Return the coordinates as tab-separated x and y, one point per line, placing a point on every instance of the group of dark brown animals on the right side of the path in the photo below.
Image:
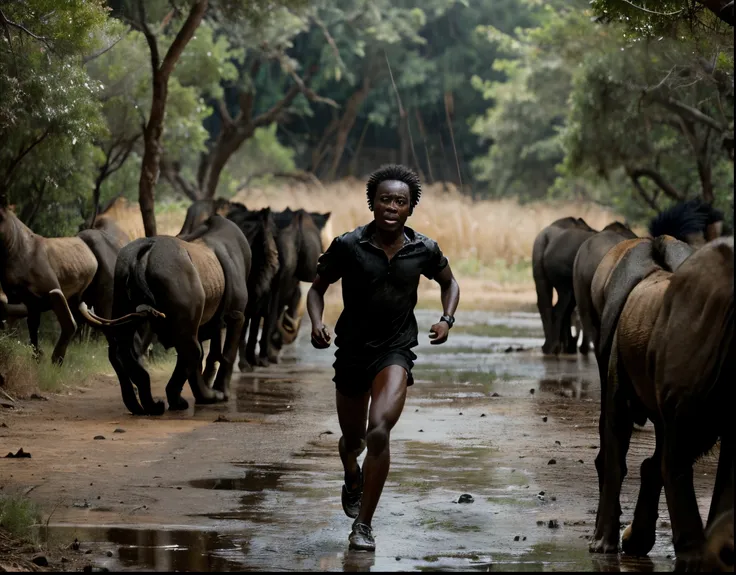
659	312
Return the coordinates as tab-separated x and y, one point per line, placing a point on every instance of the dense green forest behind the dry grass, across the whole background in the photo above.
628	104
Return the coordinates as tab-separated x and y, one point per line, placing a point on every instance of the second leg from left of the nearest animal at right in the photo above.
638	538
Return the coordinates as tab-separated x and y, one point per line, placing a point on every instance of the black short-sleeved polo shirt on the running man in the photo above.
378	296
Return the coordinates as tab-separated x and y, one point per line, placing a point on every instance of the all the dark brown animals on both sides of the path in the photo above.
658	311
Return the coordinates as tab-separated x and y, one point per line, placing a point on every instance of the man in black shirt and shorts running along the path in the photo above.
380	264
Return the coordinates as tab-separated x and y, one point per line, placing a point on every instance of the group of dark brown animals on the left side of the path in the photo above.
227	269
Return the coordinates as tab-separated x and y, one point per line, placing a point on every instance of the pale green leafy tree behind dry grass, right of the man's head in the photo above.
529	103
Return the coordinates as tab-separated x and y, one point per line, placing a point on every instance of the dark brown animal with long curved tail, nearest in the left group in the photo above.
197	285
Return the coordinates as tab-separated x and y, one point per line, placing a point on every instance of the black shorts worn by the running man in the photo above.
354	373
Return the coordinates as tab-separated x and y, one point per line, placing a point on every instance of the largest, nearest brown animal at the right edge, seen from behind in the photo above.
671	361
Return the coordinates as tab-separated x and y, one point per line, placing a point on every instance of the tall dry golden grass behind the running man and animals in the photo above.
489	241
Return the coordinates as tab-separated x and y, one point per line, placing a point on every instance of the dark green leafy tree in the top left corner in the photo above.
48	114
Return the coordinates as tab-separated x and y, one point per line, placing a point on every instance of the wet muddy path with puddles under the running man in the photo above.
255	484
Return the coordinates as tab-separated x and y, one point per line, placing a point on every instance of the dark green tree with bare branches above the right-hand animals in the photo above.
657	109
